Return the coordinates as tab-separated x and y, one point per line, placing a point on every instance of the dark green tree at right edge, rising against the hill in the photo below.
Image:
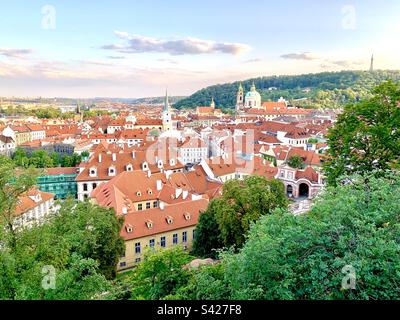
366	136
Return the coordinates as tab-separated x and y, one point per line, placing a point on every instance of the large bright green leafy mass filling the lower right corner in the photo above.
354	226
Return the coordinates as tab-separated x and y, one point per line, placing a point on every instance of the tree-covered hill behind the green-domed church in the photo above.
319	90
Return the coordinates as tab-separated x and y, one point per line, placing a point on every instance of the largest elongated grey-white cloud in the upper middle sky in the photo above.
191	46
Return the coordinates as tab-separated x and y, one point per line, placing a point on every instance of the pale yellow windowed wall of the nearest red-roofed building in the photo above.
131	259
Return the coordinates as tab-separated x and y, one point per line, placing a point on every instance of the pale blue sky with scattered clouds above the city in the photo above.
131	49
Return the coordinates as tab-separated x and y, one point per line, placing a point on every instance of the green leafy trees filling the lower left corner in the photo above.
81	243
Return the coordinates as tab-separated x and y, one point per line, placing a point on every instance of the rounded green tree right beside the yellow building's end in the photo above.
242	203
